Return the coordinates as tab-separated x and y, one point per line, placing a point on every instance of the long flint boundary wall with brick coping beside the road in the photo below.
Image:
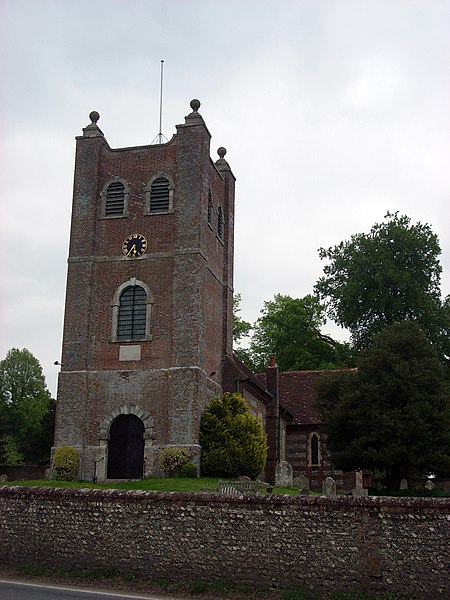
377	545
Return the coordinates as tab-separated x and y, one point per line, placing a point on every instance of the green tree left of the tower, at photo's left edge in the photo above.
28	407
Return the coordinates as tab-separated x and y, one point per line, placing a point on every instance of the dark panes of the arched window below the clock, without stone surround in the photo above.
132	313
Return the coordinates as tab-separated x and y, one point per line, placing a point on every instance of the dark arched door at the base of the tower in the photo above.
126	448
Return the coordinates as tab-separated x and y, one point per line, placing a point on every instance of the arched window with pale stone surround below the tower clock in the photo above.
132	308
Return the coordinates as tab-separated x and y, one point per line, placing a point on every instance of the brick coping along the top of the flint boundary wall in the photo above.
394	504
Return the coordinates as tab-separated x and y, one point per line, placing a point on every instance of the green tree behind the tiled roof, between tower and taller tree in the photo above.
290	329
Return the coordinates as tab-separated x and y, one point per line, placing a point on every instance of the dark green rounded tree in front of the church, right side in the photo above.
393	412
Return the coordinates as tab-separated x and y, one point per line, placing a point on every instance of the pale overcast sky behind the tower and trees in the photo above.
332	112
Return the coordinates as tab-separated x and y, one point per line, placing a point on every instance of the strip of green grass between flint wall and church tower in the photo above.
158	484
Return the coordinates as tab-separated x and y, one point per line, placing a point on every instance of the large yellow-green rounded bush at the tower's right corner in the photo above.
232	440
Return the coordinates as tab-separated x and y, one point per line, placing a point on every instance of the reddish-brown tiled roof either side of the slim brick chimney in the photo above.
297	391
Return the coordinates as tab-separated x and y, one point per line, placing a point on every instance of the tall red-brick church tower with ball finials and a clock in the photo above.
148	315
